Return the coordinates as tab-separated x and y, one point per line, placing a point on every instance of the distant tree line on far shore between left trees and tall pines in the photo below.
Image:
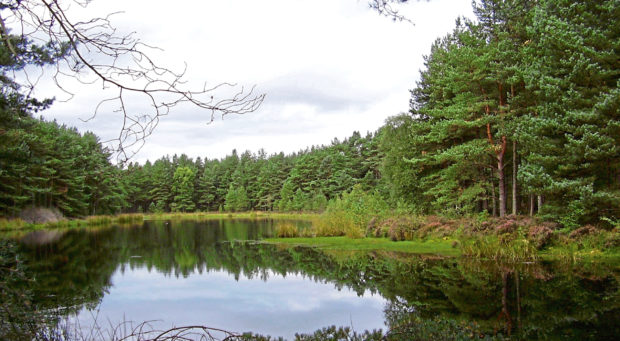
305	180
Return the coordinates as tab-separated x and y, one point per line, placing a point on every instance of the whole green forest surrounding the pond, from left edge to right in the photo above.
516	112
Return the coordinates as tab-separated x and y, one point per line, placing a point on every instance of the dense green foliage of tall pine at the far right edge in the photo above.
572	142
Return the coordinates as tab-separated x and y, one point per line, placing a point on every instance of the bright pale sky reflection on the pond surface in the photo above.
277	306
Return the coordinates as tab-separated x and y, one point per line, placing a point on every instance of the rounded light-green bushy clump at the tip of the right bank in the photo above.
350	214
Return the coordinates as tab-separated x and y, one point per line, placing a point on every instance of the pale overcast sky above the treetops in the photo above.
328	67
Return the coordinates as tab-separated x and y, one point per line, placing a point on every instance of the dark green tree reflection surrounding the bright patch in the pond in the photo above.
429	297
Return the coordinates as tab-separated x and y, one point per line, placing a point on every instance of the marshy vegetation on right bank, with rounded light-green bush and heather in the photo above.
359	215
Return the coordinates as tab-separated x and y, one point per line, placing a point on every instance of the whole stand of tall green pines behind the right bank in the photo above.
535	79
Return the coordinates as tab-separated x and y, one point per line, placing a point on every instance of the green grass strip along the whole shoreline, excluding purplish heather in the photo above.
420	236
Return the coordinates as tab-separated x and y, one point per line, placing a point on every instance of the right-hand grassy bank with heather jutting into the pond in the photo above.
512	239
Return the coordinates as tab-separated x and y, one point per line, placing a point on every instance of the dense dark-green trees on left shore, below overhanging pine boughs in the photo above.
47	165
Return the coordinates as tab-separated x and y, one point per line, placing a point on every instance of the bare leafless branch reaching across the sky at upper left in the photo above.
98	53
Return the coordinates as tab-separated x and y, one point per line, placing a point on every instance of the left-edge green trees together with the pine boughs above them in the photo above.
44	164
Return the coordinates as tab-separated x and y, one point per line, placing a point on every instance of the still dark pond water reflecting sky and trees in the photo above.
211	273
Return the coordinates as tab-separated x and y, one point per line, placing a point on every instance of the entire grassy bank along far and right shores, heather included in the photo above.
507	239
